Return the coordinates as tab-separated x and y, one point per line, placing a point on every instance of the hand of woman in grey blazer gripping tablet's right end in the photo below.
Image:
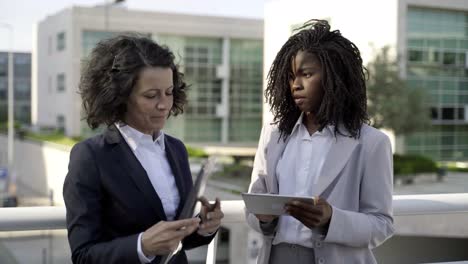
308	214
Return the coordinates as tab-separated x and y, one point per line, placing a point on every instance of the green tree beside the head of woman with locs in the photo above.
391	103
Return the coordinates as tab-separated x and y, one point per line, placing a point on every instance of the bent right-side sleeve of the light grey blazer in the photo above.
373	224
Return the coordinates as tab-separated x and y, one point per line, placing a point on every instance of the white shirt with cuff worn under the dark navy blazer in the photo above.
152	157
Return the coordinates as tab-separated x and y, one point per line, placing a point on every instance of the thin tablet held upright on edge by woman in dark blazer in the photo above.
197	191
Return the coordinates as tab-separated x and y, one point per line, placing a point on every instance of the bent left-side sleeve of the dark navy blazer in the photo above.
84	203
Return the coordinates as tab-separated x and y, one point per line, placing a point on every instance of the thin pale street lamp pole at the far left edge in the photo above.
11	129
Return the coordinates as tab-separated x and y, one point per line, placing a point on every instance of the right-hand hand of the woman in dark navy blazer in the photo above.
211	216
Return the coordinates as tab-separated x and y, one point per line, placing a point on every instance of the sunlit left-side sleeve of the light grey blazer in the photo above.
258	184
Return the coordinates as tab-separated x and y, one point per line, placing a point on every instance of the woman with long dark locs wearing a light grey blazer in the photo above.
319	145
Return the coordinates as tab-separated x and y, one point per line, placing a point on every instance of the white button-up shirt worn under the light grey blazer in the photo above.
298	171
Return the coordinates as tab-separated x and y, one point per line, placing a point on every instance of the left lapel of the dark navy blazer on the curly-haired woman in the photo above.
125	157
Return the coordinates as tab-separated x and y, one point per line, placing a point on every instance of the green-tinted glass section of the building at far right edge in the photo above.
437	45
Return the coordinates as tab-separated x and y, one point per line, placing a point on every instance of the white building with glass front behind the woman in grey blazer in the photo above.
428	37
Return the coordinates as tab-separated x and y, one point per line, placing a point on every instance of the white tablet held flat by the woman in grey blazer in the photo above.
270	204
